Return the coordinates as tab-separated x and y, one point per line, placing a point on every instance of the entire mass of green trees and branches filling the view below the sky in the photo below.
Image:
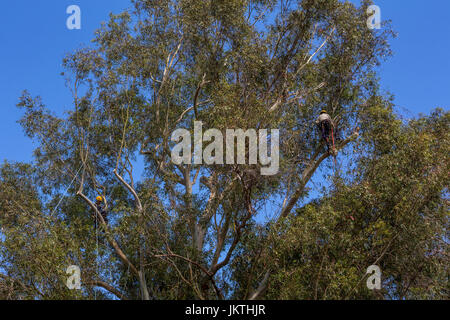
197	231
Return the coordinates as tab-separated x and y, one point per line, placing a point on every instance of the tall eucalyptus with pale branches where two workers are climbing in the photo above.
161	66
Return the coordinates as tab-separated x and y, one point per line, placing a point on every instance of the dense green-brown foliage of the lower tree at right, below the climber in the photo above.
400	213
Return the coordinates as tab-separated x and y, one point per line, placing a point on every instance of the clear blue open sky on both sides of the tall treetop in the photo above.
34	39
